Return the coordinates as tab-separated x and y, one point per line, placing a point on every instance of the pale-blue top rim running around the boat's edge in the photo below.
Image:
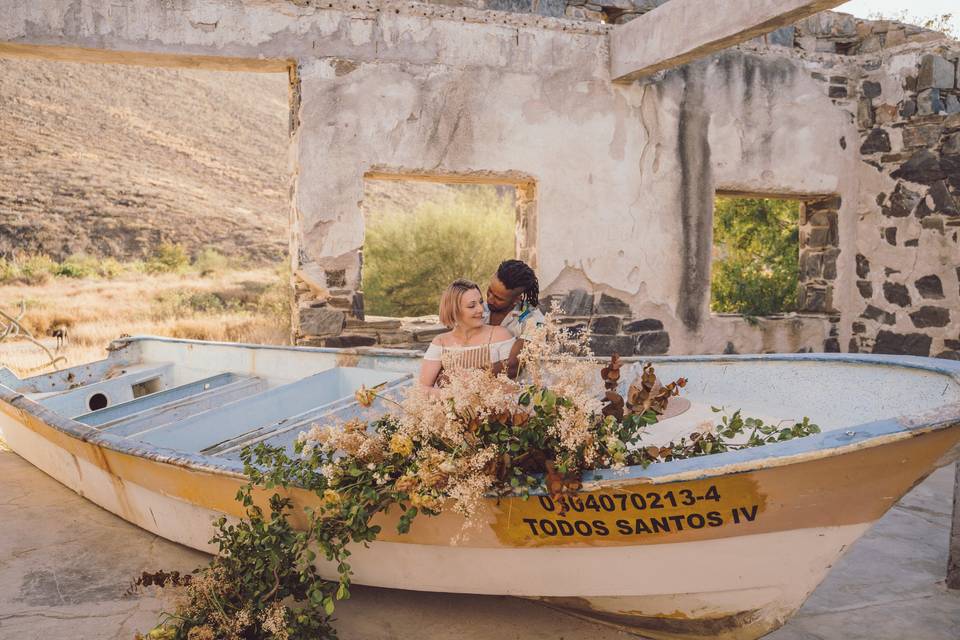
828	444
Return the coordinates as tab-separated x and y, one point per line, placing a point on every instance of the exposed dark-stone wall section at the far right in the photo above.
908	262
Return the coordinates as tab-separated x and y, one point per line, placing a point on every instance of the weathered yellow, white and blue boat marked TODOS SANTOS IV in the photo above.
722	546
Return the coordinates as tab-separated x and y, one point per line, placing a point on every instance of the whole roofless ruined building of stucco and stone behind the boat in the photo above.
617	123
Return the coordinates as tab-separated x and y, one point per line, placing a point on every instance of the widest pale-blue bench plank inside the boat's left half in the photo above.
206	429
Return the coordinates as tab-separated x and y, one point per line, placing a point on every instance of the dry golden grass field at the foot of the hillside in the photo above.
243	305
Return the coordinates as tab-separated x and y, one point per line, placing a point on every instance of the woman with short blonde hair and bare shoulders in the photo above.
470	343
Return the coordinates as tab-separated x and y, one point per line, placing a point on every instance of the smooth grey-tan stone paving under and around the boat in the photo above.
65	566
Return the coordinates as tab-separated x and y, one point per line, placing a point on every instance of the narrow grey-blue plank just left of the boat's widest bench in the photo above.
185	408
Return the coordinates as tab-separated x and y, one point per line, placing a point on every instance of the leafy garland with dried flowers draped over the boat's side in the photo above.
263	584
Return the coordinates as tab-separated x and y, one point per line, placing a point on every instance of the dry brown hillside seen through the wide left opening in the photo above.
112	160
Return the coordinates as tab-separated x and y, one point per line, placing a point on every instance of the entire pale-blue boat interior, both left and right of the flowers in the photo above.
208	401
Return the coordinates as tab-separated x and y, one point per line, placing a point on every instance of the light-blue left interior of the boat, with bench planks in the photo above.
220	414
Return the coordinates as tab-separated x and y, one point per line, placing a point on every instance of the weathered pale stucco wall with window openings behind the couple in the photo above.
625	175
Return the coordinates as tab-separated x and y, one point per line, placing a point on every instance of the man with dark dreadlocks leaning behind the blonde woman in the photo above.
513	298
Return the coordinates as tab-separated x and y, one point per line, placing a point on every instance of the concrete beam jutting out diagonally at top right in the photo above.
683	30
